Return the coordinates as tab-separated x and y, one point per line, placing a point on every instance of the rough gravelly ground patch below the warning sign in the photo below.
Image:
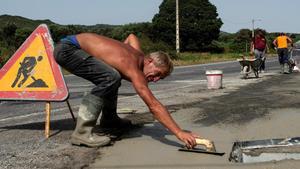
24	146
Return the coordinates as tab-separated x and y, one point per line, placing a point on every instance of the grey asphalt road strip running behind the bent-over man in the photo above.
77	86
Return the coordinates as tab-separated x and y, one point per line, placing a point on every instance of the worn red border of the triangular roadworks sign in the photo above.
59	94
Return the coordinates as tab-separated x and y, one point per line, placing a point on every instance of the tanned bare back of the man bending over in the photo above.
124	58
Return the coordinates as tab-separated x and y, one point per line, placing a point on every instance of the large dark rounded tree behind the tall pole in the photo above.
199	24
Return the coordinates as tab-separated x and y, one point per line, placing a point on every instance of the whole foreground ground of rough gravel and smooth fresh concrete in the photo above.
245	109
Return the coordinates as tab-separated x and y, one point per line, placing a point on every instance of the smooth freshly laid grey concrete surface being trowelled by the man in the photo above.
251	109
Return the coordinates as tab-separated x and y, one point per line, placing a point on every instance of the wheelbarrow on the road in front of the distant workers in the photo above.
250	65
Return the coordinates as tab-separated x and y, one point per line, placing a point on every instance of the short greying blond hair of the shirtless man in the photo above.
162	59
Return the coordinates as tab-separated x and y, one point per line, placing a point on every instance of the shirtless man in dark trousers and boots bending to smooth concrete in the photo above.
104	62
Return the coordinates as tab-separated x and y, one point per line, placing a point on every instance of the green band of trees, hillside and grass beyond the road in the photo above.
201	40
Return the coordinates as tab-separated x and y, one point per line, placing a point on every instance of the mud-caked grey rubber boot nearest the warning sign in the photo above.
87	117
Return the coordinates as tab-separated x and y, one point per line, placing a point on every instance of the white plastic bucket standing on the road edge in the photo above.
214	79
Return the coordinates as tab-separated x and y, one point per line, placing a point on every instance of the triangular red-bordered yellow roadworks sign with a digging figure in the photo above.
32	73
